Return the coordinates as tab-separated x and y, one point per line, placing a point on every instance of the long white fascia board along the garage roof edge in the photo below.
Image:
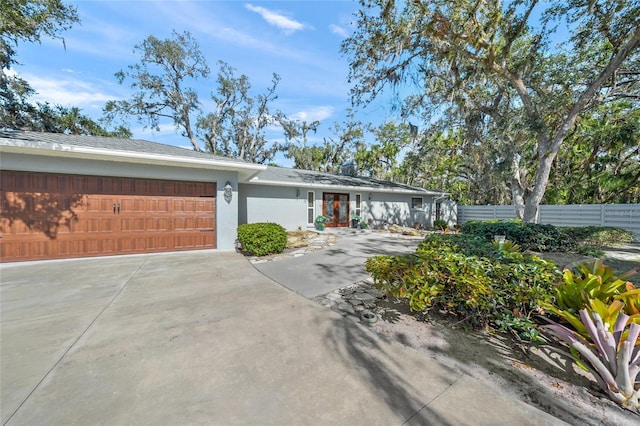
248	170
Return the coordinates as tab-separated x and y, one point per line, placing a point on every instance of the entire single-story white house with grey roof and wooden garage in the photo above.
67	196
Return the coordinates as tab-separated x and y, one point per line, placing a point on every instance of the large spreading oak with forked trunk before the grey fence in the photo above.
493	72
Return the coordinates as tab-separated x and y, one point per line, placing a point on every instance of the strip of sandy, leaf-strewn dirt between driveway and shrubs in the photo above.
542	377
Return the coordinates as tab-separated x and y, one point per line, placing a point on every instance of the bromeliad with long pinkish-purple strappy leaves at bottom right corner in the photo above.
612	356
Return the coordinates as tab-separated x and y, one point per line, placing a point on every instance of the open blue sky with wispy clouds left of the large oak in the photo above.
299	40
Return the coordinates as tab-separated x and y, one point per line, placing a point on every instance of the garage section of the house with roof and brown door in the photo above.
69	196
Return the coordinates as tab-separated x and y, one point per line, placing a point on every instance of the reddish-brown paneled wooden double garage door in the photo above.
47	216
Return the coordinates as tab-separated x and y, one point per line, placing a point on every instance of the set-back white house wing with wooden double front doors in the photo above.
294	198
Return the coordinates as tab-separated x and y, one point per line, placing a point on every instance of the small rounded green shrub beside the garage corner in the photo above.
261	239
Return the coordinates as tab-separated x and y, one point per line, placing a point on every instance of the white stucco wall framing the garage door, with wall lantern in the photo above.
226	213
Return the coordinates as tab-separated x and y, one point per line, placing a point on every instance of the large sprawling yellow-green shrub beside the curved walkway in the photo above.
467	276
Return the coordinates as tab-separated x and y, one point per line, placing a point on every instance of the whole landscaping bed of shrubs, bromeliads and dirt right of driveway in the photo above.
483	306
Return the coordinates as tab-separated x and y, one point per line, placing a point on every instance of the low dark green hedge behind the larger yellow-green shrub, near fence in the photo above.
529	236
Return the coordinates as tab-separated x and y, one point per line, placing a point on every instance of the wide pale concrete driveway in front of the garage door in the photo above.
203	338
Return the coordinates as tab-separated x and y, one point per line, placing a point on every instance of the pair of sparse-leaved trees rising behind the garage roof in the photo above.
163	85
